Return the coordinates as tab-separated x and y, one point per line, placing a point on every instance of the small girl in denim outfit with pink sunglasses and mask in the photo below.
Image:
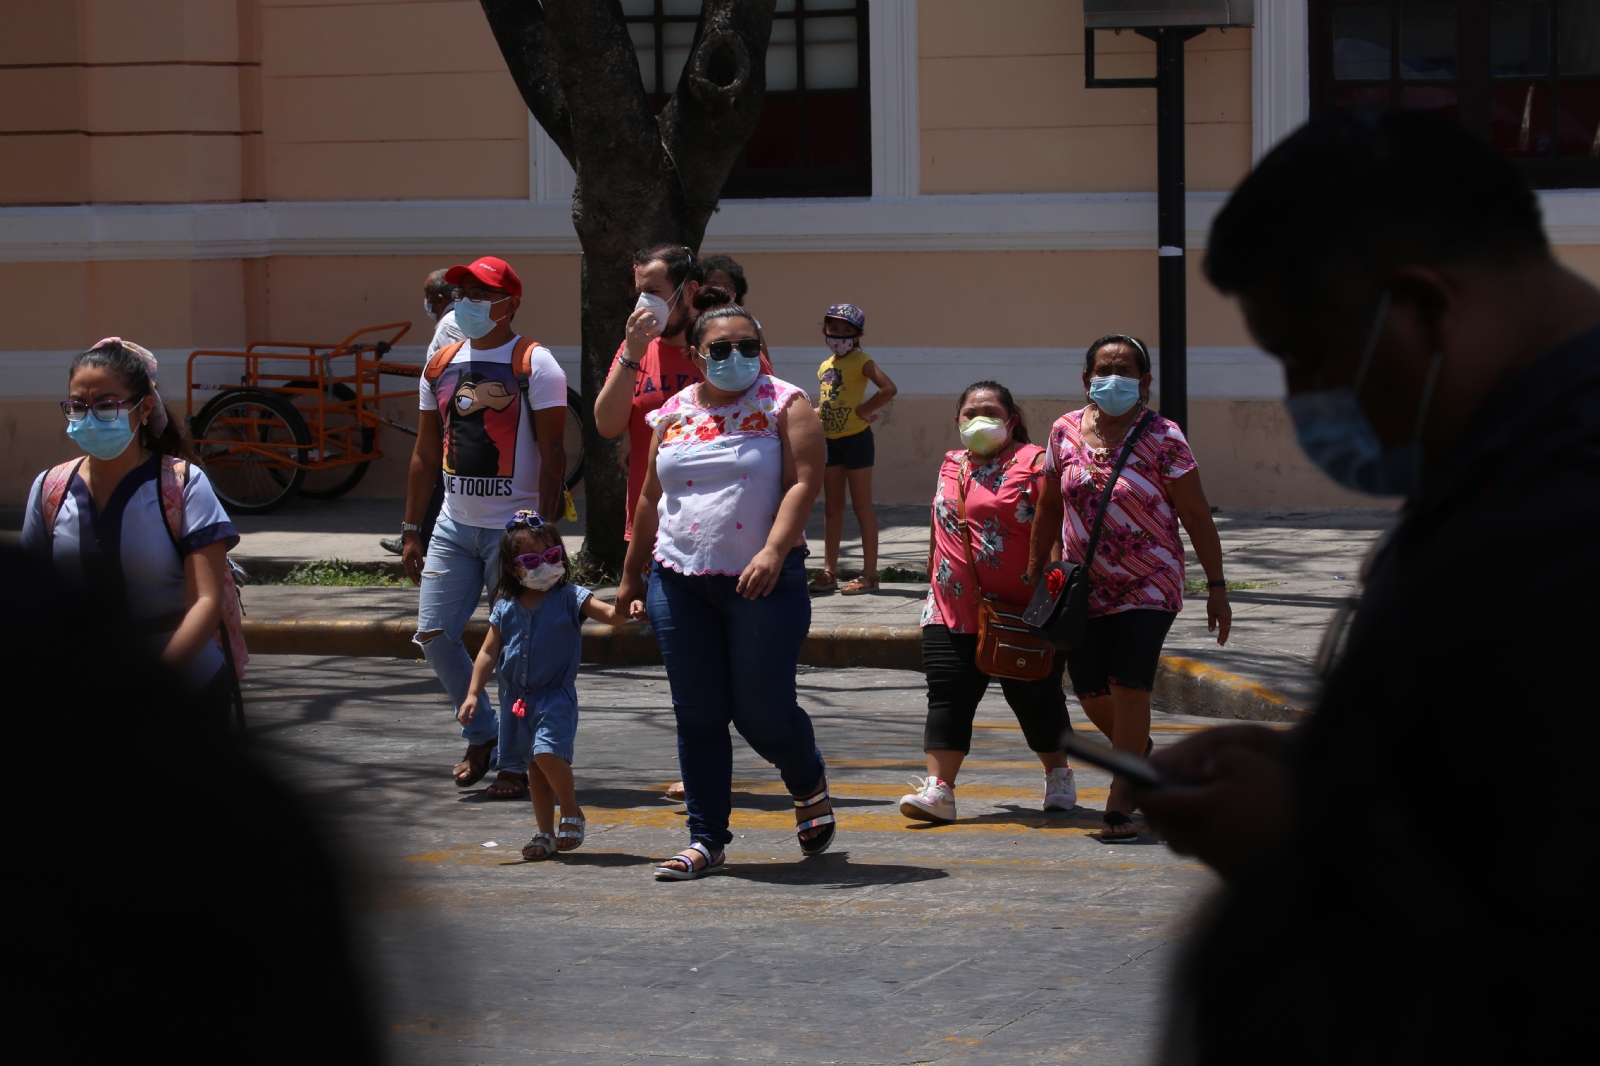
535	643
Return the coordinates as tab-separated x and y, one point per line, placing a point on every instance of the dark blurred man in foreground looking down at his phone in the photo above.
1377	905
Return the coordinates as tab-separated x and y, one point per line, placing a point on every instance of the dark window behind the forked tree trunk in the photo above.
815	135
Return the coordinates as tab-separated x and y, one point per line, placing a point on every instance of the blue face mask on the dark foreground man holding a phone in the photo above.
1335	435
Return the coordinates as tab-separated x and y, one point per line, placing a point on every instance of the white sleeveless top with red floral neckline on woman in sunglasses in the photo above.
721	473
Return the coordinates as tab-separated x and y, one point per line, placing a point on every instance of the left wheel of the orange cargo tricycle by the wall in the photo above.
246	479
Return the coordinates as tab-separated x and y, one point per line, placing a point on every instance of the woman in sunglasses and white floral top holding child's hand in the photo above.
734	470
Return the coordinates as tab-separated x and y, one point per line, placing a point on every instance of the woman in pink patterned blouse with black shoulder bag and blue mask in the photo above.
1137	580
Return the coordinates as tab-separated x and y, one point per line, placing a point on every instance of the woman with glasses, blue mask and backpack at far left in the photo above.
103	519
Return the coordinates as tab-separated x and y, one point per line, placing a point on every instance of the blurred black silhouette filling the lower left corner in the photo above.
172	900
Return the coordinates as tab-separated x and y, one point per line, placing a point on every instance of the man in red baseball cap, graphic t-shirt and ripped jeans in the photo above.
494	415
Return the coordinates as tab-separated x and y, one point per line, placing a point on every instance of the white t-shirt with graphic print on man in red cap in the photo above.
492	460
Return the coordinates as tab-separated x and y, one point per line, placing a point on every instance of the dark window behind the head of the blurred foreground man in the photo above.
1522	74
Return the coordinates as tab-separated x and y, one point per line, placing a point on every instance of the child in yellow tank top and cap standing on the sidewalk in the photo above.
847	422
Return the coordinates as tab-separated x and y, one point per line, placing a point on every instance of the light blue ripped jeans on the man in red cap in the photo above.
462	563
